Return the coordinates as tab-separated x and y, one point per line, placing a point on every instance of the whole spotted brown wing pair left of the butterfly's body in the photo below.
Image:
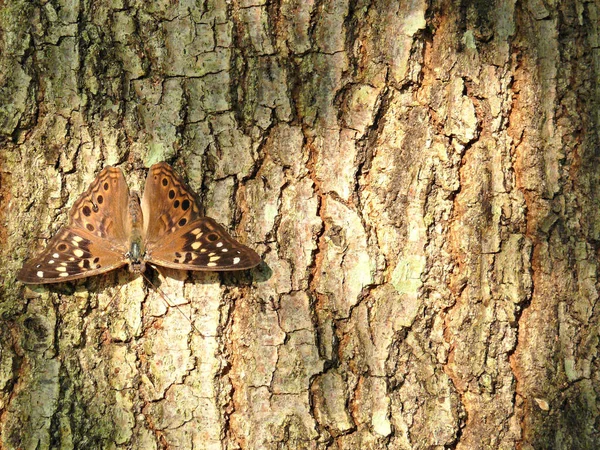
95	239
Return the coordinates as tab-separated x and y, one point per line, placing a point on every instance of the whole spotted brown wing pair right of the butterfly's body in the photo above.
177	236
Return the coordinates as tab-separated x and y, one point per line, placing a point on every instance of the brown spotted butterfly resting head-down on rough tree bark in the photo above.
109	227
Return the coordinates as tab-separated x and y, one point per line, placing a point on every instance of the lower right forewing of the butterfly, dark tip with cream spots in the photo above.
202	245
